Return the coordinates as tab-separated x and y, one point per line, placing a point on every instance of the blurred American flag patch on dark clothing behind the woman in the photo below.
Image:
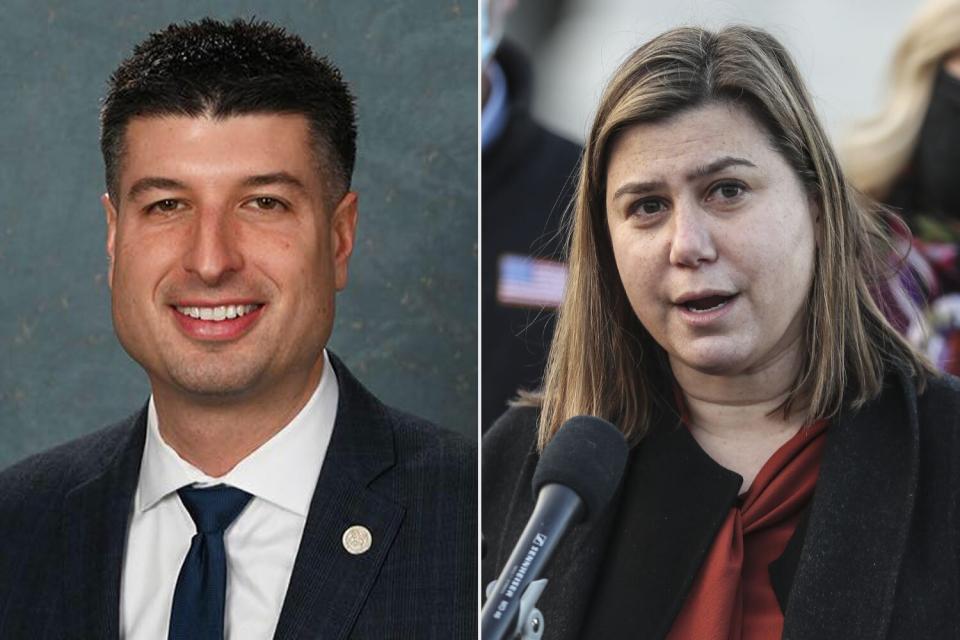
530	282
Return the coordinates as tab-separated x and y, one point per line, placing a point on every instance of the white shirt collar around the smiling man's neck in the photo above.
274	472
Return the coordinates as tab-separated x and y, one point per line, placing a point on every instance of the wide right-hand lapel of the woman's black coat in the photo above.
847	575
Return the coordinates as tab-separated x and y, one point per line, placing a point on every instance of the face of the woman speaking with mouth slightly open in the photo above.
714	238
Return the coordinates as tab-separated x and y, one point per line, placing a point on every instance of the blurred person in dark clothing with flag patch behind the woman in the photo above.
526	185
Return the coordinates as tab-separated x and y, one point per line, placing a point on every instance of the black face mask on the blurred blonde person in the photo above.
937	158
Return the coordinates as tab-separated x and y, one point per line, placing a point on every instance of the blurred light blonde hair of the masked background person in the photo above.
879	148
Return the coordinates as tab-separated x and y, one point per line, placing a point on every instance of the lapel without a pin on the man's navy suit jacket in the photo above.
96	513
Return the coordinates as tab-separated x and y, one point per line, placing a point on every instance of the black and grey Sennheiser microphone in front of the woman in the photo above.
577	475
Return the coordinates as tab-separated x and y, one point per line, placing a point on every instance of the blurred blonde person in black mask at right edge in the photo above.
907	157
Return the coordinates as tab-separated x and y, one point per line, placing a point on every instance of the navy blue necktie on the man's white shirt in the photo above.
198	601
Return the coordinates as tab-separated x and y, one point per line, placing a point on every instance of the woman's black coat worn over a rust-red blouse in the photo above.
877	554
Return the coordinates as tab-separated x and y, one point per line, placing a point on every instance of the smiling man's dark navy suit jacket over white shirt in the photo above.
64	513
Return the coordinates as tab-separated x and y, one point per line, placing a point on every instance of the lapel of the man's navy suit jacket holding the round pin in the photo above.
328	585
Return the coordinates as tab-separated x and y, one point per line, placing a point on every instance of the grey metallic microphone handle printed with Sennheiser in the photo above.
558	508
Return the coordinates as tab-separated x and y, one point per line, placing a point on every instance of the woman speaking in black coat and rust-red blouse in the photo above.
794	463
